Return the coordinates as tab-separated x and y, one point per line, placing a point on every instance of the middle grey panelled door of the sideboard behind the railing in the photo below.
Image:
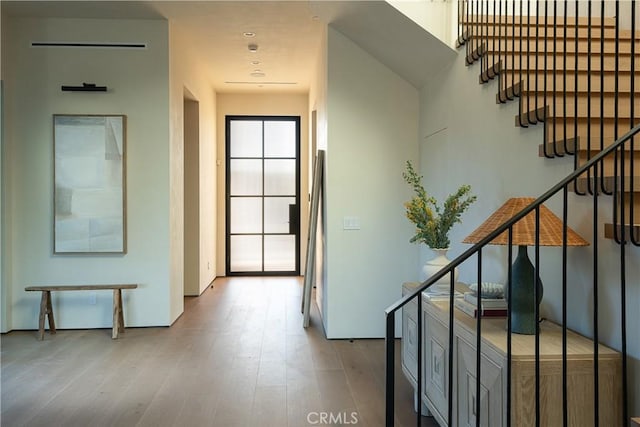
436	367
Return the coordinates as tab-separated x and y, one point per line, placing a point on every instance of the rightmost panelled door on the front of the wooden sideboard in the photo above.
491	388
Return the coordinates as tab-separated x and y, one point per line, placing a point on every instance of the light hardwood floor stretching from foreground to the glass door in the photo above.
238	356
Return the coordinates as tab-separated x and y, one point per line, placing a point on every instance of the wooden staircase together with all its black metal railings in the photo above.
541	63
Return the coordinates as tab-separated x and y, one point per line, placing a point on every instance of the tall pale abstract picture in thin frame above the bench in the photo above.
89	184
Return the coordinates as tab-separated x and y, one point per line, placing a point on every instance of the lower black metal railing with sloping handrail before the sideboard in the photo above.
563	187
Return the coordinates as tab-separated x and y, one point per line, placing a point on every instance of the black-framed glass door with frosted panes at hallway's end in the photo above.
263	195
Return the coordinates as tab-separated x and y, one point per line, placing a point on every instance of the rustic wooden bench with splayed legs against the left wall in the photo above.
46	309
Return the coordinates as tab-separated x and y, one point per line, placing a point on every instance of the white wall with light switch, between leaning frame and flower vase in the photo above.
372	117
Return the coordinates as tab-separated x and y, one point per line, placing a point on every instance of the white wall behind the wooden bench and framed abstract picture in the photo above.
138	88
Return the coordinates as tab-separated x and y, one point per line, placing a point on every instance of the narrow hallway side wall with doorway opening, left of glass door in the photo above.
187	75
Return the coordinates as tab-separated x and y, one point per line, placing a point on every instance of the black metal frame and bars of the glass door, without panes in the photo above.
227	130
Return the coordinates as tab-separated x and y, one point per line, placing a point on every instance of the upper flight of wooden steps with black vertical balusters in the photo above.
574	73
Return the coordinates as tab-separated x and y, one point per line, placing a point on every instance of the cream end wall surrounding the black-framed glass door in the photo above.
268	104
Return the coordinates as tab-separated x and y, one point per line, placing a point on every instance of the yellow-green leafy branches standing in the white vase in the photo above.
432	222
